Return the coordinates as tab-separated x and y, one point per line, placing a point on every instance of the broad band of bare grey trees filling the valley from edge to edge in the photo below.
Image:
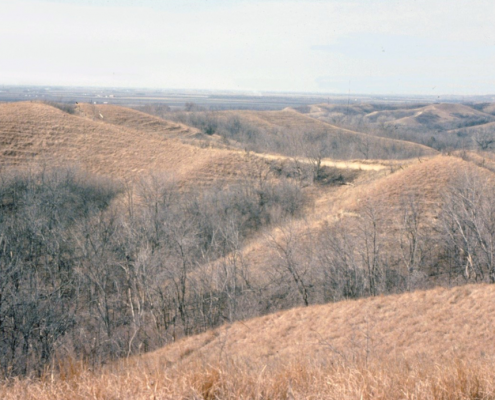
94	270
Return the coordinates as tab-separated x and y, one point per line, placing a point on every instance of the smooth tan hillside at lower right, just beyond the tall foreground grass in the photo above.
435	322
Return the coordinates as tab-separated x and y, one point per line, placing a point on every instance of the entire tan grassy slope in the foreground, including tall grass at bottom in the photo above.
426	345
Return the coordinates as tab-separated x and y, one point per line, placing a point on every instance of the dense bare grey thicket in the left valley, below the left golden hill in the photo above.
80	276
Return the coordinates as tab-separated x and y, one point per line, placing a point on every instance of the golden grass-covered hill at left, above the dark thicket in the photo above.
41	134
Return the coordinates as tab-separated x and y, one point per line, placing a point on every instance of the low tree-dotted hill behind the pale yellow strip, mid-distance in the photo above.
292	133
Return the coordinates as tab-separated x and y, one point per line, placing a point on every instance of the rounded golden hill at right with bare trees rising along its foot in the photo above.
386	196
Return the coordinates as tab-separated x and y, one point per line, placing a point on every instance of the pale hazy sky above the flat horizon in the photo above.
375	46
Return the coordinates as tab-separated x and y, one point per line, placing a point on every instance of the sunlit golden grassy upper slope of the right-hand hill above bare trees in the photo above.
424	184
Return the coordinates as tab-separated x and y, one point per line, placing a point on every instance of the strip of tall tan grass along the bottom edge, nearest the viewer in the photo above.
415	378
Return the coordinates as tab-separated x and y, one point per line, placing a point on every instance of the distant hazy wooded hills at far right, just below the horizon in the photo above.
442	126
